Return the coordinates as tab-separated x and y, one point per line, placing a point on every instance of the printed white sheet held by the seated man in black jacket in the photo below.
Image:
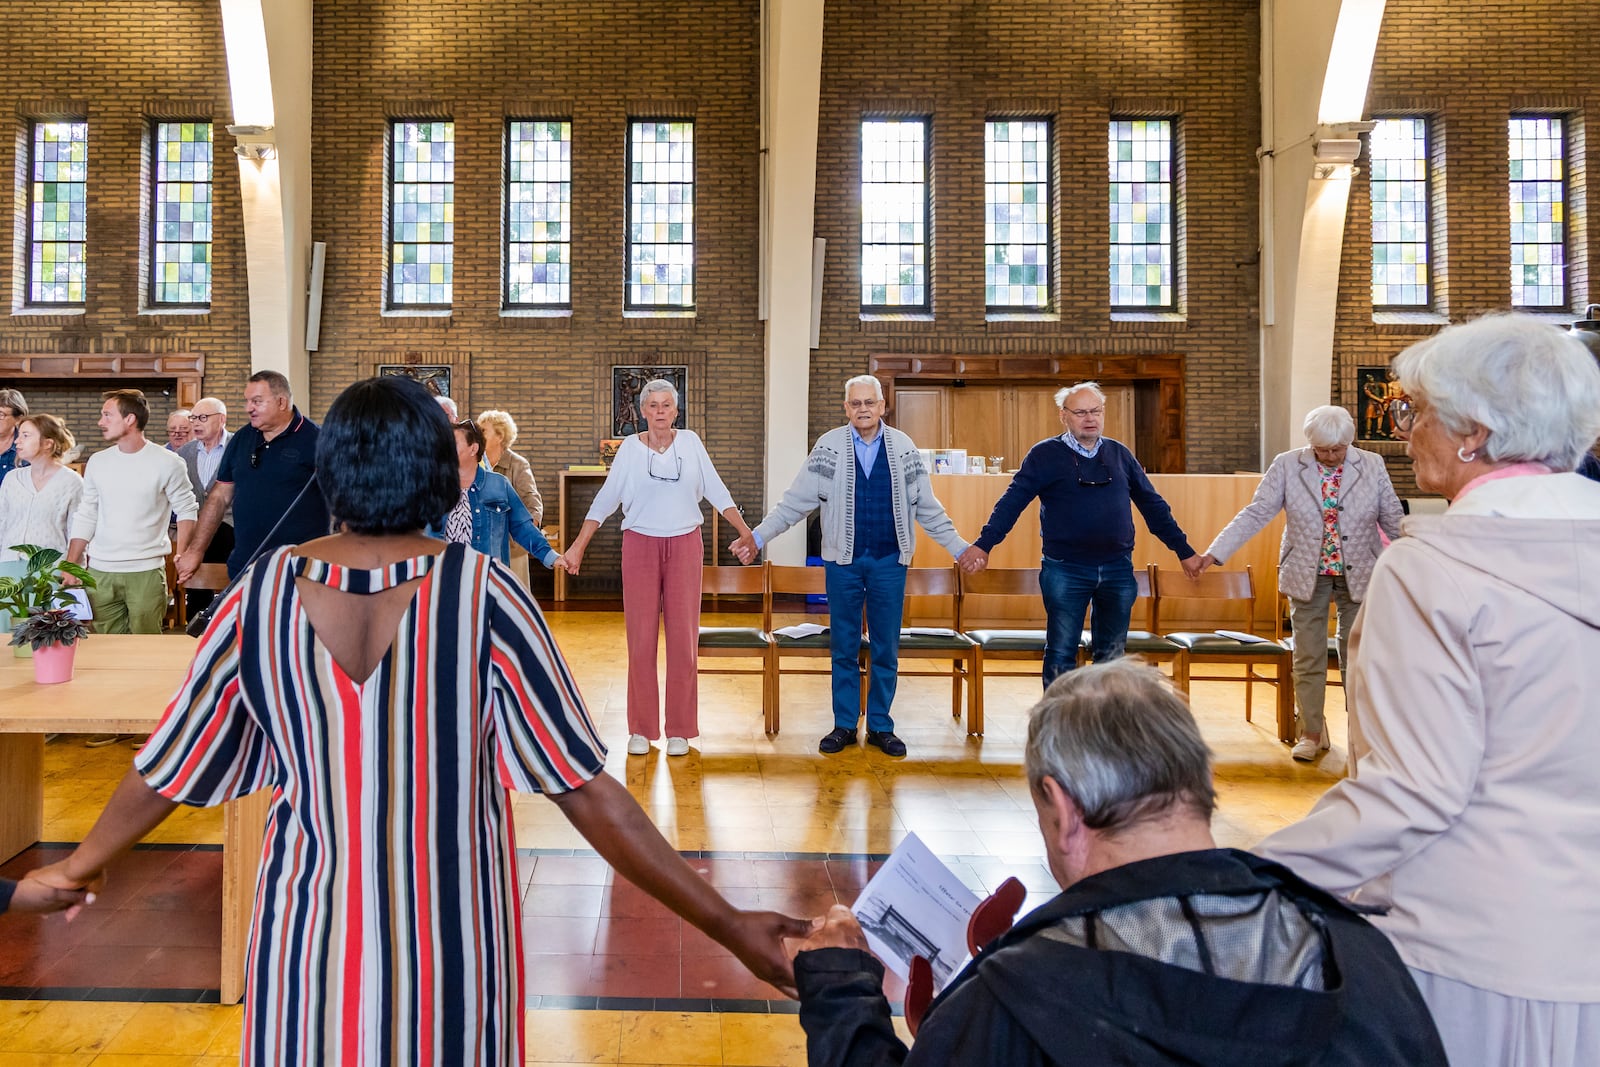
918	908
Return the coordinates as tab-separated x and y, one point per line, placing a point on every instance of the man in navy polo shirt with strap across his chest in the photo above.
265	468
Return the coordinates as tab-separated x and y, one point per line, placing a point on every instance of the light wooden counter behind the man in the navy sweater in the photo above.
1202	505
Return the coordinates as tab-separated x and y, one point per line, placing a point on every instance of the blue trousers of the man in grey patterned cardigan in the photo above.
879	586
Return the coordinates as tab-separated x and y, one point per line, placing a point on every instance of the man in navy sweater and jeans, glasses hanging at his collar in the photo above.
1087	487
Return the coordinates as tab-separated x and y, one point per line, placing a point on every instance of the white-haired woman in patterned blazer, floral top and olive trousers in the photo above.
1337	500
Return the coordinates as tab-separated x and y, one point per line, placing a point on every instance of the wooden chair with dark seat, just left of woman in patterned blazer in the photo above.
1238	591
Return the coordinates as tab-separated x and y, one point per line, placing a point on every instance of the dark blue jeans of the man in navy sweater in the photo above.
1068	591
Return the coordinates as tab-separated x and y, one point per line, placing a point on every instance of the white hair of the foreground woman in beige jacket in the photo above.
1532	386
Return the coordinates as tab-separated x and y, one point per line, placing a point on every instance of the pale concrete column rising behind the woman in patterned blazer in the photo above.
1318	58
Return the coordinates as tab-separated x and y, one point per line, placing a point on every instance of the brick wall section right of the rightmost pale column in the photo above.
1468	68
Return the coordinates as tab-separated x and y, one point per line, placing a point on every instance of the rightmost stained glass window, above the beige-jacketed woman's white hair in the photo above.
1538	212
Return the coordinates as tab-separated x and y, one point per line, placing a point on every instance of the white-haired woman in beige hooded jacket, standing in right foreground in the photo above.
1473	812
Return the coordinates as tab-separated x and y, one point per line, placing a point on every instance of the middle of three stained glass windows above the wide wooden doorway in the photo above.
1017	225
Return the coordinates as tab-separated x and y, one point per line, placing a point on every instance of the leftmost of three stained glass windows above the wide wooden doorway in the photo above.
895	215
